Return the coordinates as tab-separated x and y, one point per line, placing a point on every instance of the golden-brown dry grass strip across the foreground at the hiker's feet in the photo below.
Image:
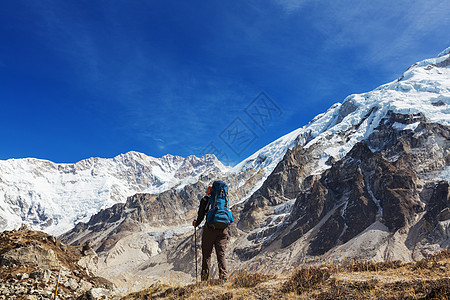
425	279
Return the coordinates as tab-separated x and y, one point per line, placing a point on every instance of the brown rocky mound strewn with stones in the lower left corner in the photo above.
30	264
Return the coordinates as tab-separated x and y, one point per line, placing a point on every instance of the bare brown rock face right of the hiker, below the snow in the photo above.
388	180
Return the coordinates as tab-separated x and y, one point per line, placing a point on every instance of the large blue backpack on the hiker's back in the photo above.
219	214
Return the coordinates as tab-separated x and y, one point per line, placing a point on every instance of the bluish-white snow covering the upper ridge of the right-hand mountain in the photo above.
424	87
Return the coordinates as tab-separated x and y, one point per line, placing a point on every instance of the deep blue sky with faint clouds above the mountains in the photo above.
100	78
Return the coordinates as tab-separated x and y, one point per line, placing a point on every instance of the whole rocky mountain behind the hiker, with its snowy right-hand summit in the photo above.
367	179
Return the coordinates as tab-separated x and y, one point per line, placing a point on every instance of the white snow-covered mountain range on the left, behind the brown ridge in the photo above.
54	197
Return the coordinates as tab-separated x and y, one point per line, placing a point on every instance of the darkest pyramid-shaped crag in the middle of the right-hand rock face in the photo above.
352	189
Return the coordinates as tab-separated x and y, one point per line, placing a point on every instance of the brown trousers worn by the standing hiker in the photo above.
219	239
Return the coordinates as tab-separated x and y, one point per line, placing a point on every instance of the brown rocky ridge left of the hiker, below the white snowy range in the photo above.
167	209
